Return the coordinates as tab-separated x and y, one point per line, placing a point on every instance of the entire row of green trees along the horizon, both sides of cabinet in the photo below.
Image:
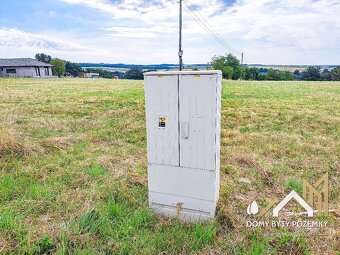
229	65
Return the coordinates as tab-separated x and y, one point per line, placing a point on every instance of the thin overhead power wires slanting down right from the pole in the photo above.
205	25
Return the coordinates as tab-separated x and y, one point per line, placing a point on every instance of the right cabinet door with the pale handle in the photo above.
197	116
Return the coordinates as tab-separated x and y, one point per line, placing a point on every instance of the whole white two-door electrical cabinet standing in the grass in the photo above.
183	115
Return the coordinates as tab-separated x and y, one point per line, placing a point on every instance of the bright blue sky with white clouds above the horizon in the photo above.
146	32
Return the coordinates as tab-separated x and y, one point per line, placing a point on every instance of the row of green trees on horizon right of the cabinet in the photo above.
232	69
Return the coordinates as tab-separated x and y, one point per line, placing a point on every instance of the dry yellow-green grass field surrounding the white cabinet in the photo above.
73	168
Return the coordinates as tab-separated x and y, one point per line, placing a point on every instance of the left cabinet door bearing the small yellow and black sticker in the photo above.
161	95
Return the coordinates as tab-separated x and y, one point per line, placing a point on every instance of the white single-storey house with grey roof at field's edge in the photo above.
24	67
